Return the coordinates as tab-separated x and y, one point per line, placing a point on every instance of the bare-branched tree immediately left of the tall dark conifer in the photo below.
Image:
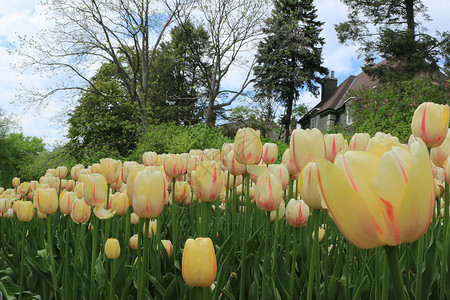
233	27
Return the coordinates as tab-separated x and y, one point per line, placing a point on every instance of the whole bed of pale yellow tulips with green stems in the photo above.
367	219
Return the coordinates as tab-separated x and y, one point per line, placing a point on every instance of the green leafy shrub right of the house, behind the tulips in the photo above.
389	107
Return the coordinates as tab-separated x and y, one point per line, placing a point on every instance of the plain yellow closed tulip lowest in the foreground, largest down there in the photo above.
199	265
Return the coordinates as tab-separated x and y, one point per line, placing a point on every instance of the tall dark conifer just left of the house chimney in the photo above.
290	56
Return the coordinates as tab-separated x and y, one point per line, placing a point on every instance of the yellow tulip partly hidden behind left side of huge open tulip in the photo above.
308	186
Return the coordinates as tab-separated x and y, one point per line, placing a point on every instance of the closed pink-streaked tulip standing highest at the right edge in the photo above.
430	123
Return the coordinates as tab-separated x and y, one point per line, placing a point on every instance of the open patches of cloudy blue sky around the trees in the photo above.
24	17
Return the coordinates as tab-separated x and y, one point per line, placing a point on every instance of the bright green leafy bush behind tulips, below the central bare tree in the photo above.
171	138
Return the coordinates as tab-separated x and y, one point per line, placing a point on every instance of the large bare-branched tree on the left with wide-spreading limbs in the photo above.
86	33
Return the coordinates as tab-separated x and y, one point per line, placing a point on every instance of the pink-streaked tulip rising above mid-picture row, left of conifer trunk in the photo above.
247	146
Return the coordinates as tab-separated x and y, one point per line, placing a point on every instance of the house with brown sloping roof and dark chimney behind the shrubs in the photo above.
333	106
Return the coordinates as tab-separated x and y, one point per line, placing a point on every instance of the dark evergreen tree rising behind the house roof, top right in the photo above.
392	31
